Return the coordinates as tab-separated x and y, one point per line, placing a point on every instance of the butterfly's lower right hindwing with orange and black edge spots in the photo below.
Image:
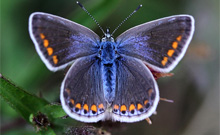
136	92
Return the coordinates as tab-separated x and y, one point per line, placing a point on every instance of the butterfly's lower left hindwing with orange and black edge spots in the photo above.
82	94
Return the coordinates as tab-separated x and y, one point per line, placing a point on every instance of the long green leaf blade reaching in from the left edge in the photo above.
21	101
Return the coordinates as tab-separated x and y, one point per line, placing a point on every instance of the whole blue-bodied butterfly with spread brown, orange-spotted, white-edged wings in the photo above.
109	79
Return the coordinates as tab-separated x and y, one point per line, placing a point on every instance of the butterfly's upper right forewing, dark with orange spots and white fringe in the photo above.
161	44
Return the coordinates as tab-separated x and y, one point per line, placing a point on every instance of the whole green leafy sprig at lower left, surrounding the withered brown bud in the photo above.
30	106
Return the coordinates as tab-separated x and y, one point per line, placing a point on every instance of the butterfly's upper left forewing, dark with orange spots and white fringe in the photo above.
59	41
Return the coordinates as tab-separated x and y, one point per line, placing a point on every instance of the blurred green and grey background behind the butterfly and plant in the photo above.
194	87
